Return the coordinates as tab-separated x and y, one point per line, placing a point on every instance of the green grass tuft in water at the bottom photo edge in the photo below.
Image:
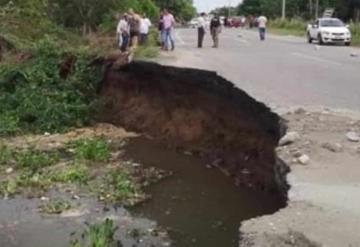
98	235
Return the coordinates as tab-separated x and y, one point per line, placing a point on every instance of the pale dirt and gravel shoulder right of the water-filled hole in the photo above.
324	197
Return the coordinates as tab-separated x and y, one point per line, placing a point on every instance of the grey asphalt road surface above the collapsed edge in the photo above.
283	71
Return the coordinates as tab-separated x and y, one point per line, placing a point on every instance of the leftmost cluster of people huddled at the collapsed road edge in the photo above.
132	29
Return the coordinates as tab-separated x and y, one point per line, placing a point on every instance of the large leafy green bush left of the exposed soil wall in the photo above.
40	95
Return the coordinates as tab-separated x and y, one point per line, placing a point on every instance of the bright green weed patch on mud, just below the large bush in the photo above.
91	149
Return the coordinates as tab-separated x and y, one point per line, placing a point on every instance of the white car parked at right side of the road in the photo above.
329	30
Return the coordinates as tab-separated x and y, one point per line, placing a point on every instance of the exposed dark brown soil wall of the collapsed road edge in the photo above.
198	111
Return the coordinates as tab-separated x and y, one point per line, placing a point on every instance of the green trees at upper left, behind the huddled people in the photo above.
89	14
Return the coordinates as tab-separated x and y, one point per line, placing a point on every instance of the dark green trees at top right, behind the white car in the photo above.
345	9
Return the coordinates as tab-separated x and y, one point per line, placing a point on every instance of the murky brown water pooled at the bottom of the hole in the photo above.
200	206
